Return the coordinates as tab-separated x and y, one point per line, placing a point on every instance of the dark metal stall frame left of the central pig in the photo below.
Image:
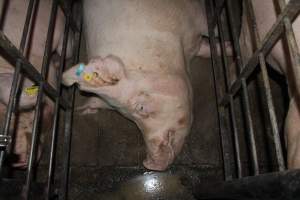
67	104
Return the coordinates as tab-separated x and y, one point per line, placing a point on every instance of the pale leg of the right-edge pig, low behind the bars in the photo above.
292	131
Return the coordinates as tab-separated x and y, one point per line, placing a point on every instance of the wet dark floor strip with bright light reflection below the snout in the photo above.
127	183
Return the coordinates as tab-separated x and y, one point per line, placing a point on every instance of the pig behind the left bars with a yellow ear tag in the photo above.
13	19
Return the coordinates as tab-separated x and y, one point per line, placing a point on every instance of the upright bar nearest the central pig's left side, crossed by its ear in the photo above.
69	115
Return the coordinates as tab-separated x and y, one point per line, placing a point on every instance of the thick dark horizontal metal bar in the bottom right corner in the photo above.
275	186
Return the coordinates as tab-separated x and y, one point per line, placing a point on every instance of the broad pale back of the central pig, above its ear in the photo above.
151	35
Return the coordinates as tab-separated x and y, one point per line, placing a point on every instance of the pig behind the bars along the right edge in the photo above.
266	13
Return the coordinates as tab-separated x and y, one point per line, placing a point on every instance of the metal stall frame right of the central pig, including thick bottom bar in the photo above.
282	184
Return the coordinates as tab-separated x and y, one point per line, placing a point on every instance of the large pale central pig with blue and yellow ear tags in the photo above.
139	53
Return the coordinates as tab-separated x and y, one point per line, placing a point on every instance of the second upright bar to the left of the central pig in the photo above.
56	112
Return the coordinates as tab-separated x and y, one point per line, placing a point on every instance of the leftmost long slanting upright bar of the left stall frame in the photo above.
17	76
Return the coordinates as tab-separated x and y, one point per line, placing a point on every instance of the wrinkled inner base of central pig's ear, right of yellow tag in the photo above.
107	71
